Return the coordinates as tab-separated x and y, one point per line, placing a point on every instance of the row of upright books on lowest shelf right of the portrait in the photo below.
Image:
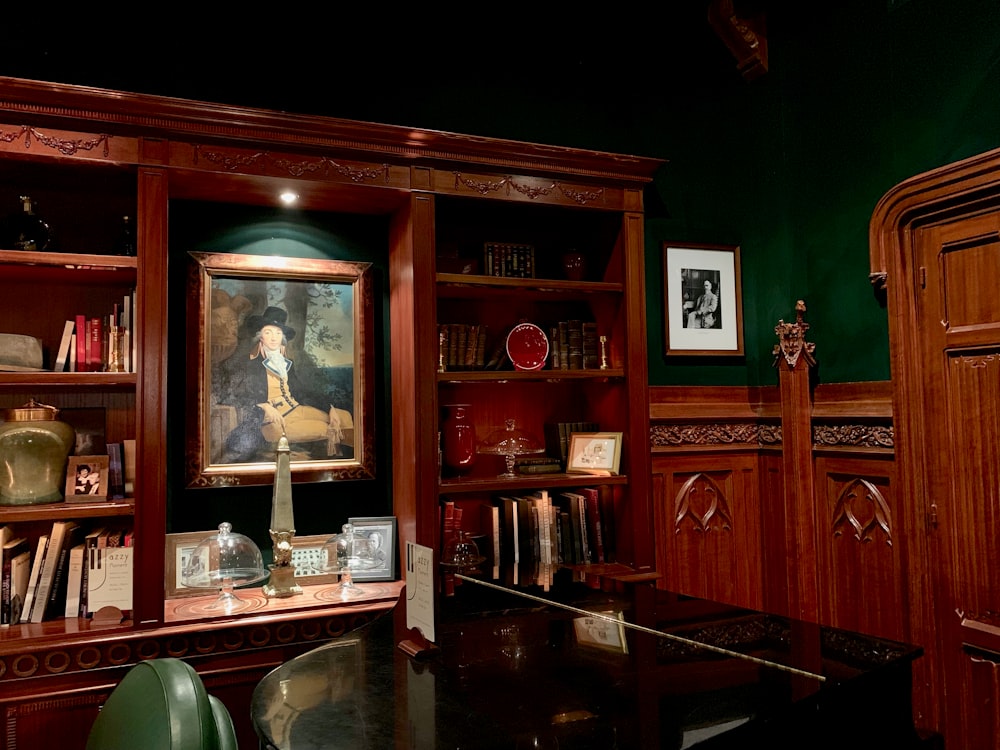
527	538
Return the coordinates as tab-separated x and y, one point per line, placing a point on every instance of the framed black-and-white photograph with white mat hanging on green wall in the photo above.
702	290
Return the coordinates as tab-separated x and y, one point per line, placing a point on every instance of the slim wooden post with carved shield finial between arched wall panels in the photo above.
794	360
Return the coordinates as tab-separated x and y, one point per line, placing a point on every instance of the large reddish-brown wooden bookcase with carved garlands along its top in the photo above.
90	156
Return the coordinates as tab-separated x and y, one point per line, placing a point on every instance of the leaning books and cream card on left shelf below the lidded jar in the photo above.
74	572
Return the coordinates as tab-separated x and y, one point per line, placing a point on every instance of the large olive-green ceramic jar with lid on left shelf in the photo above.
34	446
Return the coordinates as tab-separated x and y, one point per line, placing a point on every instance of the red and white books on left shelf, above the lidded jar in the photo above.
99	343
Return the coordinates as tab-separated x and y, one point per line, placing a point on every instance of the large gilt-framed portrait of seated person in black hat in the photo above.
278	346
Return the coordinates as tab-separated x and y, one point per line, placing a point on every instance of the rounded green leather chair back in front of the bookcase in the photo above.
162	704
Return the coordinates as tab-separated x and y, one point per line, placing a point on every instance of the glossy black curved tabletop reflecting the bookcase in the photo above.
515	672
